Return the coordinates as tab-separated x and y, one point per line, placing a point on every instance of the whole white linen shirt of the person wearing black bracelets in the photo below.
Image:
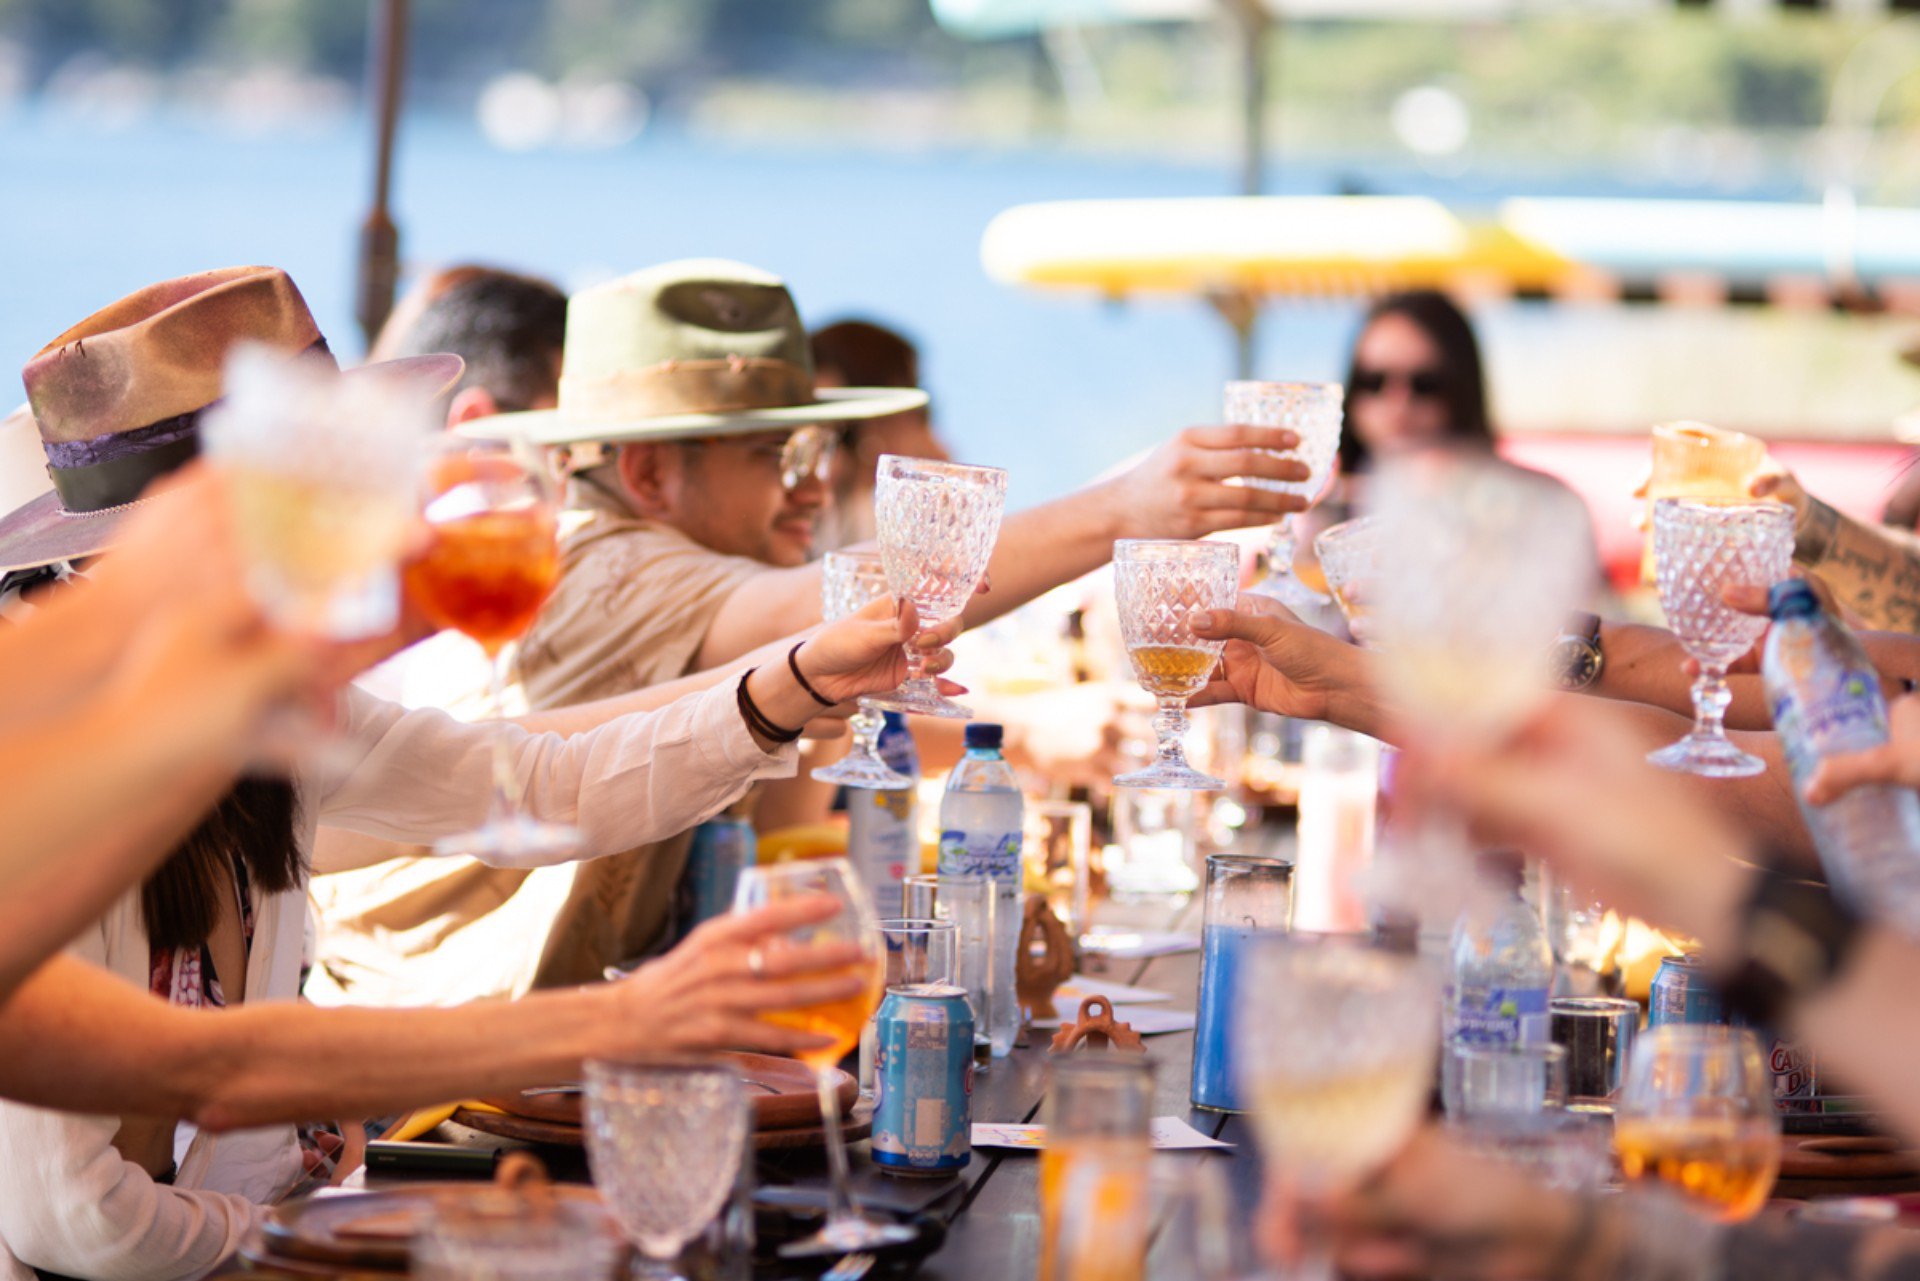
72	1205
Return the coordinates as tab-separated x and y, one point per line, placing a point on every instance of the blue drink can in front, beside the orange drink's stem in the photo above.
924	1080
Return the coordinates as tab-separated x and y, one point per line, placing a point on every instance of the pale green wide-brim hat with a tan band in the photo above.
688	349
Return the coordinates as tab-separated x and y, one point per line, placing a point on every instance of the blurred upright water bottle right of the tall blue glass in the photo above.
1502	967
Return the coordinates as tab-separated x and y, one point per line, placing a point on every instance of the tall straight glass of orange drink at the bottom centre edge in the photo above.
1095	1167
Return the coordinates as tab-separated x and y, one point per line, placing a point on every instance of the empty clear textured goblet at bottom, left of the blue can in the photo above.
665	1146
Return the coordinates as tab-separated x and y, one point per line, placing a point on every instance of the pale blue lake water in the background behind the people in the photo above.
1047	387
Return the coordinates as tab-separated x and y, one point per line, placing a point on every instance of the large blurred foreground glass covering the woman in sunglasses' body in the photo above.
1479	568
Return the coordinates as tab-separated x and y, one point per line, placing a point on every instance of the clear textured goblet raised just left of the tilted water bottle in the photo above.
1700	548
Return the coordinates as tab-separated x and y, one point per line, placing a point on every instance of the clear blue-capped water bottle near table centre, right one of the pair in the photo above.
980	836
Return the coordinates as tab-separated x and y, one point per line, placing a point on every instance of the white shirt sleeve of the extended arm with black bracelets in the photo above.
625	785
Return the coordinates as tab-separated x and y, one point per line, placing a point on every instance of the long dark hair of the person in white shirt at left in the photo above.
252	823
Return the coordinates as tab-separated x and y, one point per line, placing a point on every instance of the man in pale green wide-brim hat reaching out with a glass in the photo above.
700	447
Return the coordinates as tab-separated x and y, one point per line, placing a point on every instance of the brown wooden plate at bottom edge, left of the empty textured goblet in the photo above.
372	1230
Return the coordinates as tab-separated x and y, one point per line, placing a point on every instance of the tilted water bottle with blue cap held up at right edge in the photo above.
1827	700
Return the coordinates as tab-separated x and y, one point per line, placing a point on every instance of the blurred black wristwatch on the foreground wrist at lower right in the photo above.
1794	938
